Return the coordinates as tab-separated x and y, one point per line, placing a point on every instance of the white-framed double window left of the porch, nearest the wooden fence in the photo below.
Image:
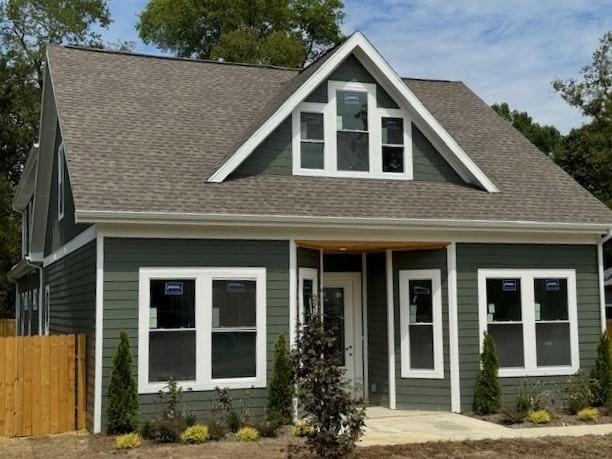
206	327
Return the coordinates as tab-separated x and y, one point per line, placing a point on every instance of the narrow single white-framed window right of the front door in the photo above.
421	324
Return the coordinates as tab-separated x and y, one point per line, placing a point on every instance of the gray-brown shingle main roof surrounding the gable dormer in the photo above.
143	134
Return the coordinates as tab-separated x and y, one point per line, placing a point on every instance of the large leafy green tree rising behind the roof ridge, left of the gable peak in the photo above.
276	32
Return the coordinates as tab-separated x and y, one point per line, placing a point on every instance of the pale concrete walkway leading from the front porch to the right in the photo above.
389	427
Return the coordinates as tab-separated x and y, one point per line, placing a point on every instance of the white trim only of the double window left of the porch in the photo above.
203	311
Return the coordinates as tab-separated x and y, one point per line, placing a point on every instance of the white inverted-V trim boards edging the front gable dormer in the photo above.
355	42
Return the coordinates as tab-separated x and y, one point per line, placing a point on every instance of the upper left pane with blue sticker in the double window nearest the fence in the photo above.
172	303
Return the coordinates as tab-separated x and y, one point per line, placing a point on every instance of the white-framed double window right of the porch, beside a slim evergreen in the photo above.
533	319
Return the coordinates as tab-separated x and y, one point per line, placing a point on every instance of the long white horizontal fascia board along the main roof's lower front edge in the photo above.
95	216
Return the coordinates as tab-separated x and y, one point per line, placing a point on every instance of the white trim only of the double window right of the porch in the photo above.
528	318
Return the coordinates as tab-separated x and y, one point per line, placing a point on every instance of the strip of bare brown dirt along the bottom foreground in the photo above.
85	446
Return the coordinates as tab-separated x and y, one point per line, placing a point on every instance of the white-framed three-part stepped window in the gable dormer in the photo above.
350	136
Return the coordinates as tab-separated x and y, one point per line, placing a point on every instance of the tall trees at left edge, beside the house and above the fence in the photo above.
26	26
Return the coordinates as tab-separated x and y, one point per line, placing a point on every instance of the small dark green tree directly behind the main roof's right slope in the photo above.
545	137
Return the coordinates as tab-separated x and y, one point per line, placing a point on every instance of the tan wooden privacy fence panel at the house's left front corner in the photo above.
42	384
